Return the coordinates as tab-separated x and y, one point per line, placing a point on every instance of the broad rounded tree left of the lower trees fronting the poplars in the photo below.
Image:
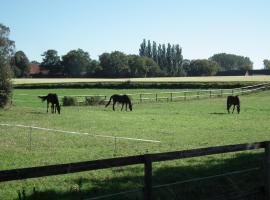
114	64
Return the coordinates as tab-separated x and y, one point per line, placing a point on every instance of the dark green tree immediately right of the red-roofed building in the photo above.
52	62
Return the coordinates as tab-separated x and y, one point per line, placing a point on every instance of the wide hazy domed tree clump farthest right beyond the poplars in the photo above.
232	62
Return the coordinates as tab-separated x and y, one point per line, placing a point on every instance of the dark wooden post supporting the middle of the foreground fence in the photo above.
147	177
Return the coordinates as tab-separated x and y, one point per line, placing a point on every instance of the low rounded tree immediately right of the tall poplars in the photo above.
202	67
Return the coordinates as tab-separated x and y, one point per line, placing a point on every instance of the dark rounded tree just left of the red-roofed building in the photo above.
20	64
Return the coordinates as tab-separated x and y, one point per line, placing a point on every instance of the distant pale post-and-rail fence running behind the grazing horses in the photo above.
176	96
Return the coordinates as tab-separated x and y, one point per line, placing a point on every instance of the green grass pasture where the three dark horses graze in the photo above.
177	125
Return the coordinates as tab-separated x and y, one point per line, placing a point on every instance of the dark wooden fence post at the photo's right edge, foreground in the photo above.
267	170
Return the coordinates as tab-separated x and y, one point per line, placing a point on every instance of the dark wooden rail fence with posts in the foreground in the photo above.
146	160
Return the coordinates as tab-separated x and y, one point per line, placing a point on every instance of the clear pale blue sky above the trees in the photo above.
201	27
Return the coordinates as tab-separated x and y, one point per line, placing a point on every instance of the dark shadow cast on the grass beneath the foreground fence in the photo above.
163	173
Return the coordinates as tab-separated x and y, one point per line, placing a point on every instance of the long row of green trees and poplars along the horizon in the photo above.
154	60
